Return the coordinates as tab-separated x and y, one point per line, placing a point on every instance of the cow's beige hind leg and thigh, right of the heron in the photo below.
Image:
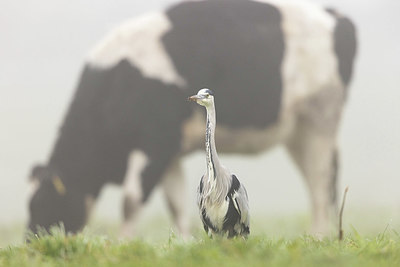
312	146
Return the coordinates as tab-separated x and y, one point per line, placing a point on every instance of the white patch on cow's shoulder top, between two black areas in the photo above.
139	41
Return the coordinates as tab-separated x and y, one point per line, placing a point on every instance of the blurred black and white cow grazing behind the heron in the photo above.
279	71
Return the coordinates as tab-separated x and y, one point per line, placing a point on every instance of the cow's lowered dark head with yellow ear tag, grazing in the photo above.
52	202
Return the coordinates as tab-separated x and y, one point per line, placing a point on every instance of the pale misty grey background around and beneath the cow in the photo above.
43	45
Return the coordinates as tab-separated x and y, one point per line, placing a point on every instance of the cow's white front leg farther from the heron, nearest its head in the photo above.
133	192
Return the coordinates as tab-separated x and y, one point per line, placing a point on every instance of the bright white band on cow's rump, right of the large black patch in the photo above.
309	63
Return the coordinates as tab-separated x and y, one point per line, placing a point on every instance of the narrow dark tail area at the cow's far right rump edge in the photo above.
345	42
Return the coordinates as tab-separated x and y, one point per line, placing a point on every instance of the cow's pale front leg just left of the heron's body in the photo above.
175	193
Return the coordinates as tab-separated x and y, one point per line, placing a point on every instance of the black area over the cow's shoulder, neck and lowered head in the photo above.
113	112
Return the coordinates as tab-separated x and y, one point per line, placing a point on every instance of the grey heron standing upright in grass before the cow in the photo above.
222	199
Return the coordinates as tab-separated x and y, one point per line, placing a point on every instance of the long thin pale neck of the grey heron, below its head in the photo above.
211	151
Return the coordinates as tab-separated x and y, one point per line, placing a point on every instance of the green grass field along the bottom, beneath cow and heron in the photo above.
370	240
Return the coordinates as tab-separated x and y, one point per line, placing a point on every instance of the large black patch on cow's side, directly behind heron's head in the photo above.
235	48
